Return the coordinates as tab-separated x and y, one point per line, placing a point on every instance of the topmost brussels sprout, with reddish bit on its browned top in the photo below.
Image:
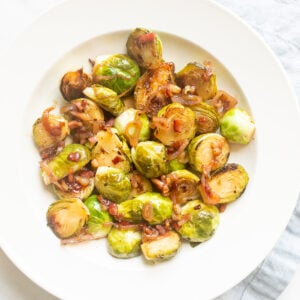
145	47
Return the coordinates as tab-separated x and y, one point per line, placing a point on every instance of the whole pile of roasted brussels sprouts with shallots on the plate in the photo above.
138	153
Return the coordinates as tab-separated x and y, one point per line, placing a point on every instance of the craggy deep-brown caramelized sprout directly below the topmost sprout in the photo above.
150	93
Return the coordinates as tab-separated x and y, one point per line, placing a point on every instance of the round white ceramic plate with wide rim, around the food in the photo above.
64	39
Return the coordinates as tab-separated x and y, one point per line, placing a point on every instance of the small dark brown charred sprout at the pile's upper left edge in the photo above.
73	83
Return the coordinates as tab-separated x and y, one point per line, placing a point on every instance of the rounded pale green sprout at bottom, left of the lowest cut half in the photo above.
124	243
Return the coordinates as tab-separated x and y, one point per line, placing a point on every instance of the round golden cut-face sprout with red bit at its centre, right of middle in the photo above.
179	124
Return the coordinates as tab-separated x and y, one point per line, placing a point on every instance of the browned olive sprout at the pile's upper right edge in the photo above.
199	76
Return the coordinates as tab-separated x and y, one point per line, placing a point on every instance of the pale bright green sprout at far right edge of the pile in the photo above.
237	126
